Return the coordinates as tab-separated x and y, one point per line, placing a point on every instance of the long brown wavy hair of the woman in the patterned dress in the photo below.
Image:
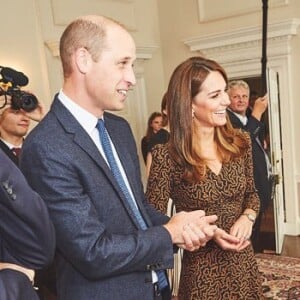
184	85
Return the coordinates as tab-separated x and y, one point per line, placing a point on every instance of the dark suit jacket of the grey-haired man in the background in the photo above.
254	127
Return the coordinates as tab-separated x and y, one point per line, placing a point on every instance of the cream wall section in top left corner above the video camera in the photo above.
22	45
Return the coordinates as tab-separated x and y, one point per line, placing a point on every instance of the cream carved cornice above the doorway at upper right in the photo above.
245	43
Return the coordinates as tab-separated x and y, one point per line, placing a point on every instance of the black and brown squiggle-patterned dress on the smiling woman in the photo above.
210	272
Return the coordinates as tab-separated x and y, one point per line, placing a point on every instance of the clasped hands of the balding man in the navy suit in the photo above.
191	230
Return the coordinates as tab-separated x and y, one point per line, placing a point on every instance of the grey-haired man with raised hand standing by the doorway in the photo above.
239	91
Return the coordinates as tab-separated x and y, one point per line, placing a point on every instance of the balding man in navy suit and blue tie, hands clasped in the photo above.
102	253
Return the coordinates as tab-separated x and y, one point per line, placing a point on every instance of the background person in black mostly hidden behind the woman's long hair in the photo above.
161	137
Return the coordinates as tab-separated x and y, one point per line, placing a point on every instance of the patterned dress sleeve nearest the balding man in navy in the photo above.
159	181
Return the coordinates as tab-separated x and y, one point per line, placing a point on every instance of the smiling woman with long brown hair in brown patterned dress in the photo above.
208	165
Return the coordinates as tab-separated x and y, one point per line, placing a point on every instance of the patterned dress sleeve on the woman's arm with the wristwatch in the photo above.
251	196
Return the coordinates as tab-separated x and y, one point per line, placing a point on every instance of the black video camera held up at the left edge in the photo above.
10	84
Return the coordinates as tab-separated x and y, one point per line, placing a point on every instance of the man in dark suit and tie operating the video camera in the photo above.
14	126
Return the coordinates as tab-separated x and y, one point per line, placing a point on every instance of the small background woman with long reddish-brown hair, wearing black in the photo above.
153	126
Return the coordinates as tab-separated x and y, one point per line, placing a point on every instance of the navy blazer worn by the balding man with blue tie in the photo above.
101	252
